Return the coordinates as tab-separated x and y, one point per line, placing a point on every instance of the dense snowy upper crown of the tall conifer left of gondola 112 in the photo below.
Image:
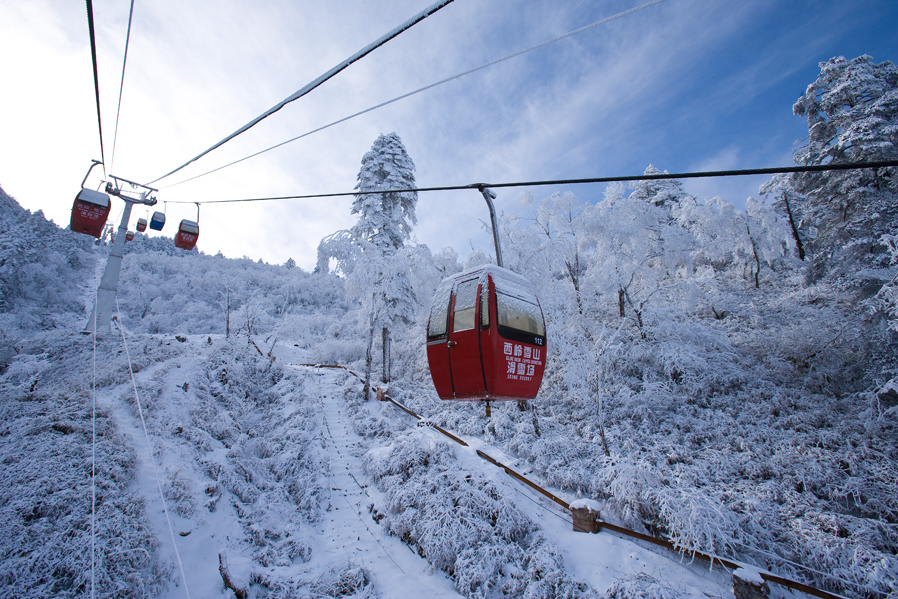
386	219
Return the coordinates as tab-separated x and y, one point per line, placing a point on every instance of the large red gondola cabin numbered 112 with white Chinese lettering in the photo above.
486	337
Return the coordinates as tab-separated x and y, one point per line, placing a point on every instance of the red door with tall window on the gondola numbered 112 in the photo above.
464	342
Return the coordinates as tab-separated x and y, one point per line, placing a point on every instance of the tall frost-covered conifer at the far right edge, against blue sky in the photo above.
852	112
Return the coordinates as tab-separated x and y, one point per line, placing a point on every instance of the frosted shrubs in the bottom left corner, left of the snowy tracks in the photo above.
45	502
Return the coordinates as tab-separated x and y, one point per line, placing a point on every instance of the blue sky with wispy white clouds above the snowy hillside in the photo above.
684	85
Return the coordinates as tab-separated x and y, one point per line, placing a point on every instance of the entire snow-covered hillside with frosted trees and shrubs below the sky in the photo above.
726	379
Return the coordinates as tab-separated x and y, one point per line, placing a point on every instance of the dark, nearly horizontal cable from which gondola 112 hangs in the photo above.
653	177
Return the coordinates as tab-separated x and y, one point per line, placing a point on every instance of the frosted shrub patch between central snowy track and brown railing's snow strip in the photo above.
461	523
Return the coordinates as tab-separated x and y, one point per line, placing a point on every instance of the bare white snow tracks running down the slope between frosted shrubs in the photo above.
345	533
